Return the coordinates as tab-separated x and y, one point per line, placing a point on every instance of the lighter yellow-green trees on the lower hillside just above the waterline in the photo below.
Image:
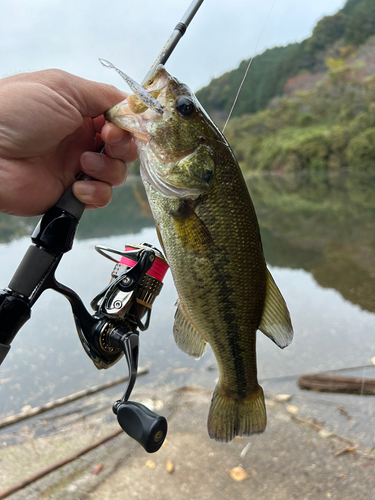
330	127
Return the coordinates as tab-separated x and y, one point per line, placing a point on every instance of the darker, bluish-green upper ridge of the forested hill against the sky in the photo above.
270	71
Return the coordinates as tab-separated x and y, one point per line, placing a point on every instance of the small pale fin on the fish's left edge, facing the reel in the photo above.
186	336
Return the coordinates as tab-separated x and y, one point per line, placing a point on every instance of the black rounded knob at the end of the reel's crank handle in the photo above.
142	424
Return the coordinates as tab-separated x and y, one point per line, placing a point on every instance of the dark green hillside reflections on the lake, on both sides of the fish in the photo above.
321	222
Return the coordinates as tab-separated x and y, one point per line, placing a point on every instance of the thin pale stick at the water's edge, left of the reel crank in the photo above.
65	400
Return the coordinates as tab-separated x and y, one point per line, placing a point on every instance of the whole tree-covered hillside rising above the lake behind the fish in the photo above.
309	105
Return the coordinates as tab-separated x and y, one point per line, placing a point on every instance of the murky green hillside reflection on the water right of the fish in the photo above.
323	223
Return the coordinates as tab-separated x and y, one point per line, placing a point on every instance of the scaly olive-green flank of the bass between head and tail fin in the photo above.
234	308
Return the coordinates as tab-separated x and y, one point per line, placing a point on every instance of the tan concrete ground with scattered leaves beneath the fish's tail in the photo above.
296	458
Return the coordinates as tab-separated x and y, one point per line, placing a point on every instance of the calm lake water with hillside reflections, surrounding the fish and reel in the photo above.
318	234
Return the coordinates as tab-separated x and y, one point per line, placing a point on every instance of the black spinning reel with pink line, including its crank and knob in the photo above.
112	331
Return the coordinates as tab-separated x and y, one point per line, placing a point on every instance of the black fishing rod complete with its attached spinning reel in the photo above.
121	309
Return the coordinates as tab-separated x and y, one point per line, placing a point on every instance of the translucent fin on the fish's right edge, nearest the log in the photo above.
276	323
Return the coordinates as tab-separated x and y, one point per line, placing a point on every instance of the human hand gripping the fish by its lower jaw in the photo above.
47	137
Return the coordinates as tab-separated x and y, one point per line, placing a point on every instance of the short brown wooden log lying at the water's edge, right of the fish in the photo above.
323	382
